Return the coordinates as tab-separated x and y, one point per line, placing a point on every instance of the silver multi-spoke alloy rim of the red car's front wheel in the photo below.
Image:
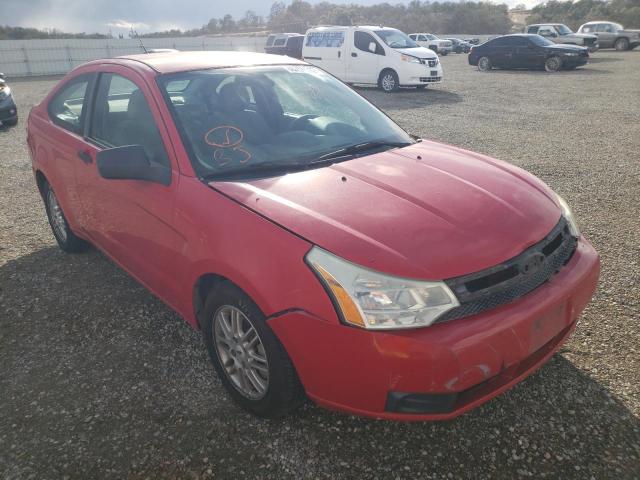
241	352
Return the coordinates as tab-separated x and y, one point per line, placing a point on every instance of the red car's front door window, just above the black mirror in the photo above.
121	116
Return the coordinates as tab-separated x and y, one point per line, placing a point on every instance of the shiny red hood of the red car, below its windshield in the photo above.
427	211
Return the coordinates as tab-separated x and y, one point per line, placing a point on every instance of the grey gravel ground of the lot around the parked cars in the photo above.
99	379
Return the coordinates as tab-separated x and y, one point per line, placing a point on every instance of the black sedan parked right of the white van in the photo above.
527	51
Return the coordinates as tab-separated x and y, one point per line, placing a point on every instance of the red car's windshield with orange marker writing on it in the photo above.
273	119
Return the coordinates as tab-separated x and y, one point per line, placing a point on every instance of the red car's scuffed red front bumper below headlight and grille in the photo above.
470	360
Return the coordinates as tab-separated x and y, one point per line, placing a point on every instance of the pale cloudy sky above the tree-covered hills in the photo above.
144	15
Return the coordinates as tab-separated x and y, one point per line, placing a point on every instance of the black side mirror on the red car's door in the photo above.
130	163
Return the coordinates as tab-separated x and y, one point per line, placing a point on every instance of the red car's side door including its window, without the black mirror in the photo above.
132	220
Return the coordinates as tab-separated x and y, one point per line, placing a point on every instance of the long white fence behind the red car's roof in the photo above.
58	56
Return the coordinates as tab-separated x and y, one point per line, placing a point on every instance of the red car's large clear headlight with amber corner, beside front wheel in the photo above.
376	301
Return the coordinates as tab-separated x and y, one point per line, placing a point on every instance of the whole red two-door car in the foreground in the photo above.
320	248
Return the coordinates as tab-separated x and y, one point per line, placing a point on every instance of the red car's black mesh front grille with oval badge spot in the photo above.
514	278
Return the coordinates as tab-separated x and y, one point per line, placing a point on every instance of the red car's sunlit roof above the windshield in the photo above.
170	62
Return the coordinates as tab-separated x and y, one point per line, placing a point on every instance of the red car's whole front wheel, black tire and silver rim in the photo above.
257	372
